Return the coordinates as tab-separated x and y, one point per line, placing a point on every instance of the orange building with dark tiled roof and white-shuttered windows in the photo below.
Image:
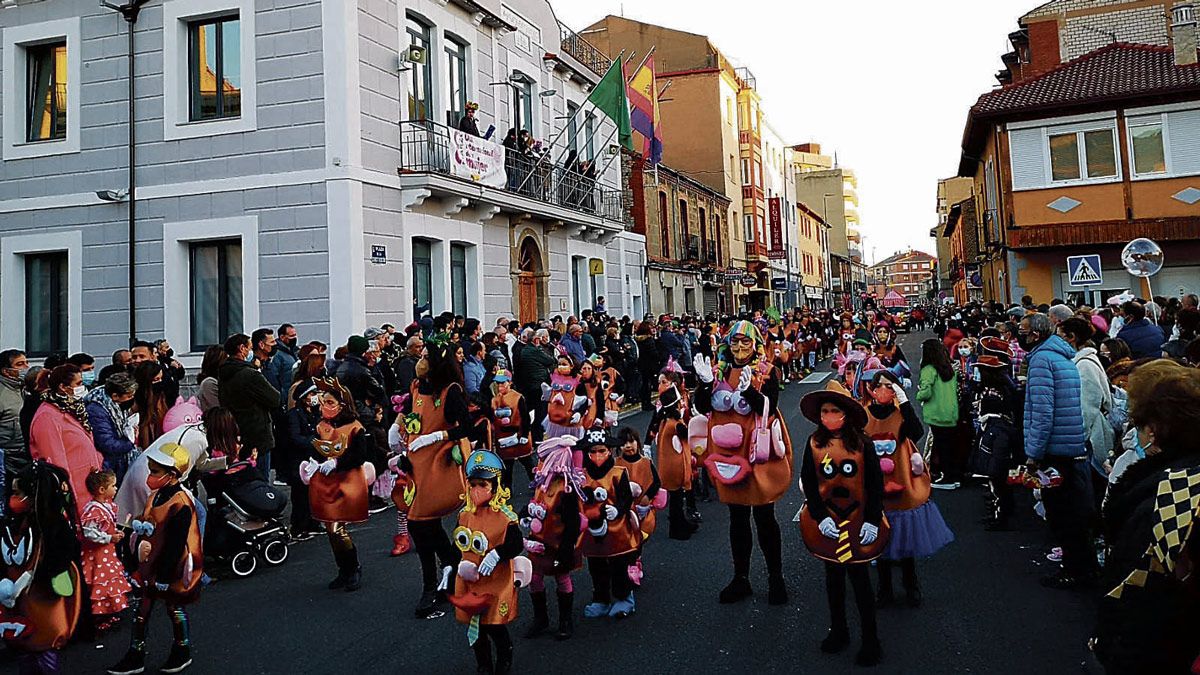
1081	154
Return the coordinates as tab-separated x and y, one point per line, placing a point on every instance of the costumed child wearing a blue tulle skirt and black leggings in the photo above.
917	525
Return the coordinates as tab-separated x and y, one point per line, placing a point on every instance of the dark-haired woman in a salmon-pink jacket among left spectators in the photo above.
61	433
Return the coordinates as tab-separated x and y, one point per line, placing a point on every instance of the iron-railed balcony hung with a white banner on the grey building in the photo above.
520	184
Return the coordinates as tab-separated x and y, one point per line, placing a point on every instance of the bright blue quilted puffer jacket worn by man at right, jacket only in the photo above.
1054	419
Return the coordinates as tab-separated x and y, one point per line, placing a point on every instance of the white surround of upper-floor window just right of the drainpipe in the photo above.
177	16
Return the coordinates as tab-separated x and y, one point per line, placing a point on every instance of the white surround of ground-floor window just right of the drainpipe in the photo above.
177	242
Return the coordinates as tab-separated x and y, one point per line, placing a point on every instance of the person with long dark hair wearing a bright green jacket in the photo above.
939	396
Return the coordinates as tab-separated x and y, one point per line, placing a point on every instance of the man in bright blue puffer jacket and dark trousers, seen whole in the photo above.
1055	439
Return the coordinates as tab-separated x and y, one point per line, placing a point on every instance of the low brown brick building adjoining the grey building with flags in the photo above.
681	220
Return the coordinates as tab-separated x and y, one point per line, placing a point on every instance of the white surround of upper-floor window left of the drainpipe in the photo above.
15	111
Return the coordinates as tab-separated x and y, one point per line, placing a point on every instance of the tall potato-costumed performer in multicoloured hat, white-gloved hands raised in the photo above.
748	453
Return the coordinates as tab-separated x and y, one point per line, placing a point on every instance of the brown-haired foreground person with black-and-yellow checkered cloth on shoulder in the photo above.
1149	618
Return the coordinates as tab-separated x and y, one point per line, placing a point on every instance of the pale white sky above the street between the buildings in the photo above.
887	86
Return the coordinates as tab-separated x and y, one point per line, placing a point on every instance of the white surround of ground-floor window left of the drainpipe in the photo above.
13	283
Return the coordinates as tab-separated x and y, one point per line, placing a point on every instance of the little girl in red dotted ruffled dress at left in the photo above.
101	569
